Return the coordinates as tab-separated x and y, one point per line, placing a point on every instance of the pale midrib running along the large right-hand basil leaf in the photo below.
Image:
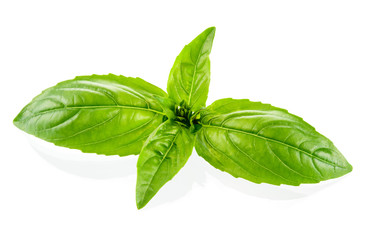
274	141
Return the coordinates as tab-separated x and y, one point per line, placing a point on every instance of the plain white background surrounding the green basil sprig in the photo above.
305	56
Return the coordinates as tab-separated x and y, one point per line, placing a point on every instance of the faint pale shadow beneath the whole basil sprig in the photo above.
195	172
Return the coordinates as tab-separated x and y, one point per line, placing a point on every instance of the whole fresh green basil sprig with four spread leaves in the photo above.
117	115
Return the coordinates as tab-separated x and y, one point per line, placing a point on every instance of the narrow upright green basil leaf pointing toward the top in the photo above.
190	76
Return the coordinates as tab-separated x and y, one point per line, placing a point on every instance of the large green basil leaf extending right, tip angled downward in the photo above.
265	144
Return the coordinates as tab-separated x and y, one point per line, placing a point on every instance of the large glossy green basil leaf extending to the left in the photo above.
104	114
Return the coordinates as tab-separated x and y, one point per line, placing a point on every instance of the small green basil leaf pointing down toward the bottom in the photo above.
164	153
